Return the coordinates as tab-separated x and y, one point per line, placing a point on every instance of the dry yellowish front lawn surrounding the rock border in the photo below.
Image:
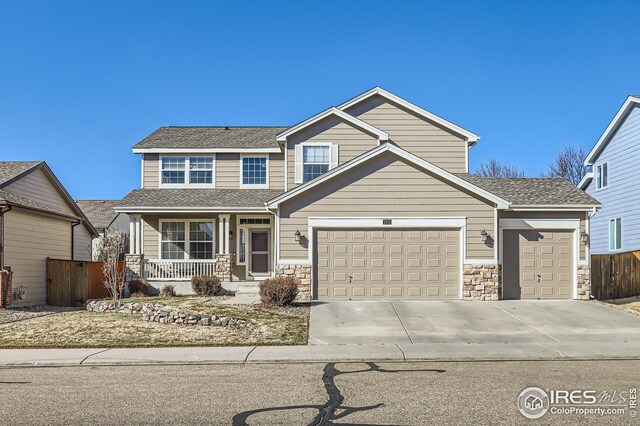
82	329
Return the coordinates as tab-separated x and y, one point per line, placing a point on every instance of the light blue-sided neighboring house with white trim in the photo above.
611	179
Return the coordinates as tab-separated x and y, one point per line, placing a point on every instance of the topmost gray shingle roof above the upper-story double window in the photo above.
212	137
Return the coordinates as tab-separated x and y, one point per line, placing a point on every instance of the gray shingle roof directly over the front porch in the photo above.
198	198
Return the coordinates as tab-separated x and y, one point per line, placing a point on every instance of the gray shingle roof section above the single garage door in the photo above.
533	191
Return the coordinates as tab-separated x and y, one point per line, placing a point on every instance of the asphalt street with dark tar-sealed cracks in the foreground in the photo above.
299	394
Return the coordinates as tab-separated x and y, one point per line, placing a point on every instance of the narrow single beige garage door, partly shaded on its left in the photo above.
538	264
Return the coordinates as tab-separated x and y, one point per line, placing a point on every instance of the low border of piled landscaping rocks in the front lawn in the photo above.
165	314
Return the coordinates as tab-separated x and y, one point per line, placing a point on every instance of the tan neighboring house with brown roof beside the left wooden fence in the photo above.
38	219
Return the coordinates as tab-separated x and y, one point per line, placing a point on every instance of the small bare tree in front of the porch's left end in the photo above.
111	249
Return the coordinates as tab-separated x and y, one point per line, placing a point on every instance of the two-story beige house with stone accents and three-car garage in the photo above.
371	199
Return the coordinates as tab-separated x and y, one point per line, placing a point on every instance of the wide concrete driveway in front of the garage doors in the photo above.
521	321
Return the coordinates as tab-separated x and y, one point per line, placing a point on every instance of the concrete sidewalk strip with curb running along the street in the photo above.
324	353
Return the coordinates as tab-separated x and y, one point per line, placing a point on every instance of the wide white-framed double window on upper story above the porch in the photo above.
176	170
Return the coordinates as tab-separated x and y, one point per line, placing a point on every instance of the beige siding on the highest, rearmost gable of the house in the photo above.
413	133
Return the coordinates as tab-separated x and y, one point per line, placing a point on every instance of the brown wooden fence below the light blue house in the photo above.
614	276
